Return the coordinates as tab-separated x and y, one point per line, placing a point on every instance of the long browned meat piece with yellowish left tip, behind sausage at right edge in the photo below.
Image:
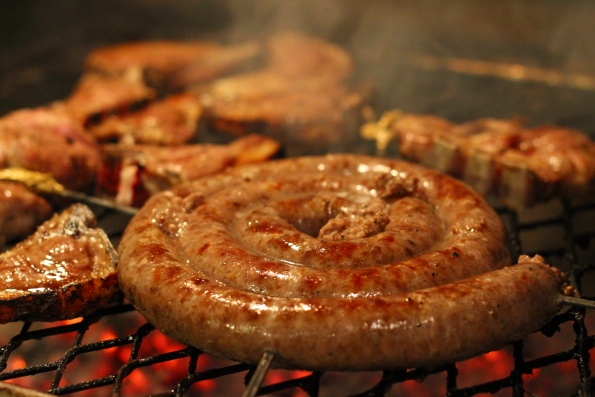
521	166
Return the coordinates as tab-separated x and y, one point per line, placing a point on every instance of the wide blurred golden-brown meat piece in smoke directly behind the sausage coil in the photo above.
316	118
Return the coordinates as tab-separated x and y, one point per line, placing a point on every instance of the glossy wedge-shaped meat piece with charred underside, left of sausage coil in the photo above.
66	269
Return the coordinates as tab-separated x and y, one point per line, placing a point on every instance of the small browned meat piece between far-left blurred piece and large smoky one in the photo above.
171	121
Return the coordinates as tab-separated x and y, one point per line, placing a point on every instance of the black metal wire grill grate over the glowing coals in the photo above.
62	358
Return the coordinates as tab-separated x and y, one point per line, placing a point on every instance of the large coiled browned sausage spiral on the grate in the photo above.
352	282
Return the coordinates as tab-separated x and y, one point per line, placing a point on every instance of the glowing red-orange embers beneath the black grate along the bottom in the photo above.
136	360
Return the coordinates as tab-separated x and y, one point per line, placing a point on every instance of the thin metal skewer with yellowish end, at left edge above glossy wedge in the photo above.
43	183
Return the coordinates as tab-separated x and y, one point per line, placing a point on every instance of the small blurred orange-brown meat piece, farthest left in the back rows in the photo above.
96	96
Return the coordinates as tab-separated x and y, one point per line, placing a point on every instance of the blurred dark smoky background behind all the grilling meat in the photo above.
43	44
